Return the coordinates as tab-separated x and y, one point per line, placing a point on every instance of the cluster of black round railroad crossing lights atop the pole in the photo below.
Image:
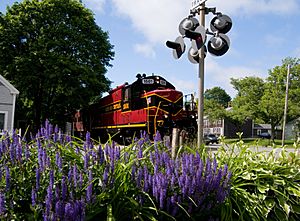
189	27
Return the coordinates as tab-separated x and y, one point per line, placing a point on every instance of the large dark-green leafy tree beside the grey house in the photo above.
55	54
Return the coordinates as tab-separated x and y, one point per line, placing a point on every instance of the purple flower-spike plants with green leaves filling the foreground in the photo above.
58	177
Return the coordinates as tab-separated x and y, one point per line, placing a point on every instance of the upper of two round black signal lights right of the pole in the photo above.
221	23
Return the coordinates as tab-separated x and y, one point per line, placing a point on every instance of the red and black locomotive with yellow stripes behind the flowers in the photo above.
149	104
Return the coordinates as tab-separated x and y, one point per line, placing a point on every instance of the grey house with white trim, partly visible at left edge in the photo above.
8	94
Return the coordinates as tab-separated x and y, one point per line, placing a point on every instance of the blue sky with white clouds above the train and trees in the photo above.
264	32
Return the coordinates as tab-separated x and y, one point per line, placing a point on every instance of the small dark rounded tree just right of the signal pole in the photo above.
219	95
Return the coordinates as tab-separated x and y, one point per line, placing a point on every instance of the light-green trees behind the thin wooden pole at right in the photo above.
264	100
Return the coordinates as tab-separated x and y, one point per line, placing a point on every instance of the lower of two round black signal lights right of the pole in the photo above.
218	45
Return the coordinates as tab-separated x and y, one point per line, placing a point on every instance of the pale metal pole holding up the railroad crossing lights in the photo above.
201	81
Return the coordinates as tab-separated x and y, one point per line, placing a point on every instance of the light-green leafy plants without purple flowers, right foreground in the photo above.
265	186
